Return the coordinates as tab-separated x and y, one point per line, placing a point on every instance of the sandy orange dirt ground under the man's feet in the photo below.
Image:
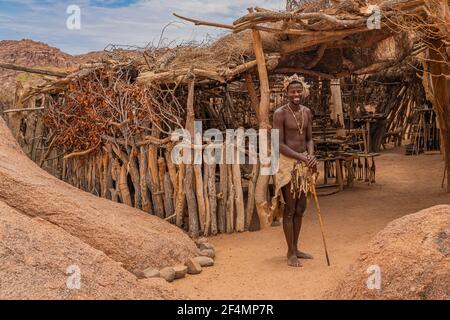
252	265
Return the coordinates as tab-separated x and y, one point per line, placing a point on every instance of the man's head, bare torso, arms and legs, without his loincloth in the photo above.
294	122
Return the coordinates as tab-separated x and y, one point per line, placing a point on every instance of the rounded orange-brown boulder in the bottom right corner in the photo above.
413	256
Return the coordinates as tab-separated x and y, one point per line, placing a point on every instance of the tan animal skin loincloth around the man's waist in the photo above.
291	170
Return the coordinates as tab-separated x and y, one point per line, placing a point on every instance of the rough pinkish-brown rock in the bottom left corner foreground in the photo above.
39	260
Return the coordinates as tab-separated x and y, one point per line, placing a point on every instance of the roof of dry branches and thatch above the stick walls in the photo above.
326	42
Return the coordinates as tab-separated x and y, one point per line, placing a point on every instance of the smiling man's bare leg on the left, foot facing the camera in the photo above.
288	226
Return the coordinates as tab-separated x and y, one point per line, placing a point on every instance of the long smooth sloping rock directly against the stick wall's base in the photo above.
125	234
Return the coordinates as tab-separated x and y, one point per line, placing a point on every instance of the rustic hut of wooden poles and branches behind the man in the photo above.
107	127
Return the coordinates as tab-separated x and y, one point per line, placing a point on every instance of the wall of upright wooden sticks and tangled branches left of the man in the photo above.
109	136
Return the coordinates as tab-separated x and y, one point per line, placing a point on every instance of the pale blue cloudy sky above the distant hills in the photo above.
124	22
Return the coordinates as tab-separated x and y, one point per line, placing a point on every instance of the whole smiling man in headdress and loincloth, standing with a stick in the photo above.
297	164
